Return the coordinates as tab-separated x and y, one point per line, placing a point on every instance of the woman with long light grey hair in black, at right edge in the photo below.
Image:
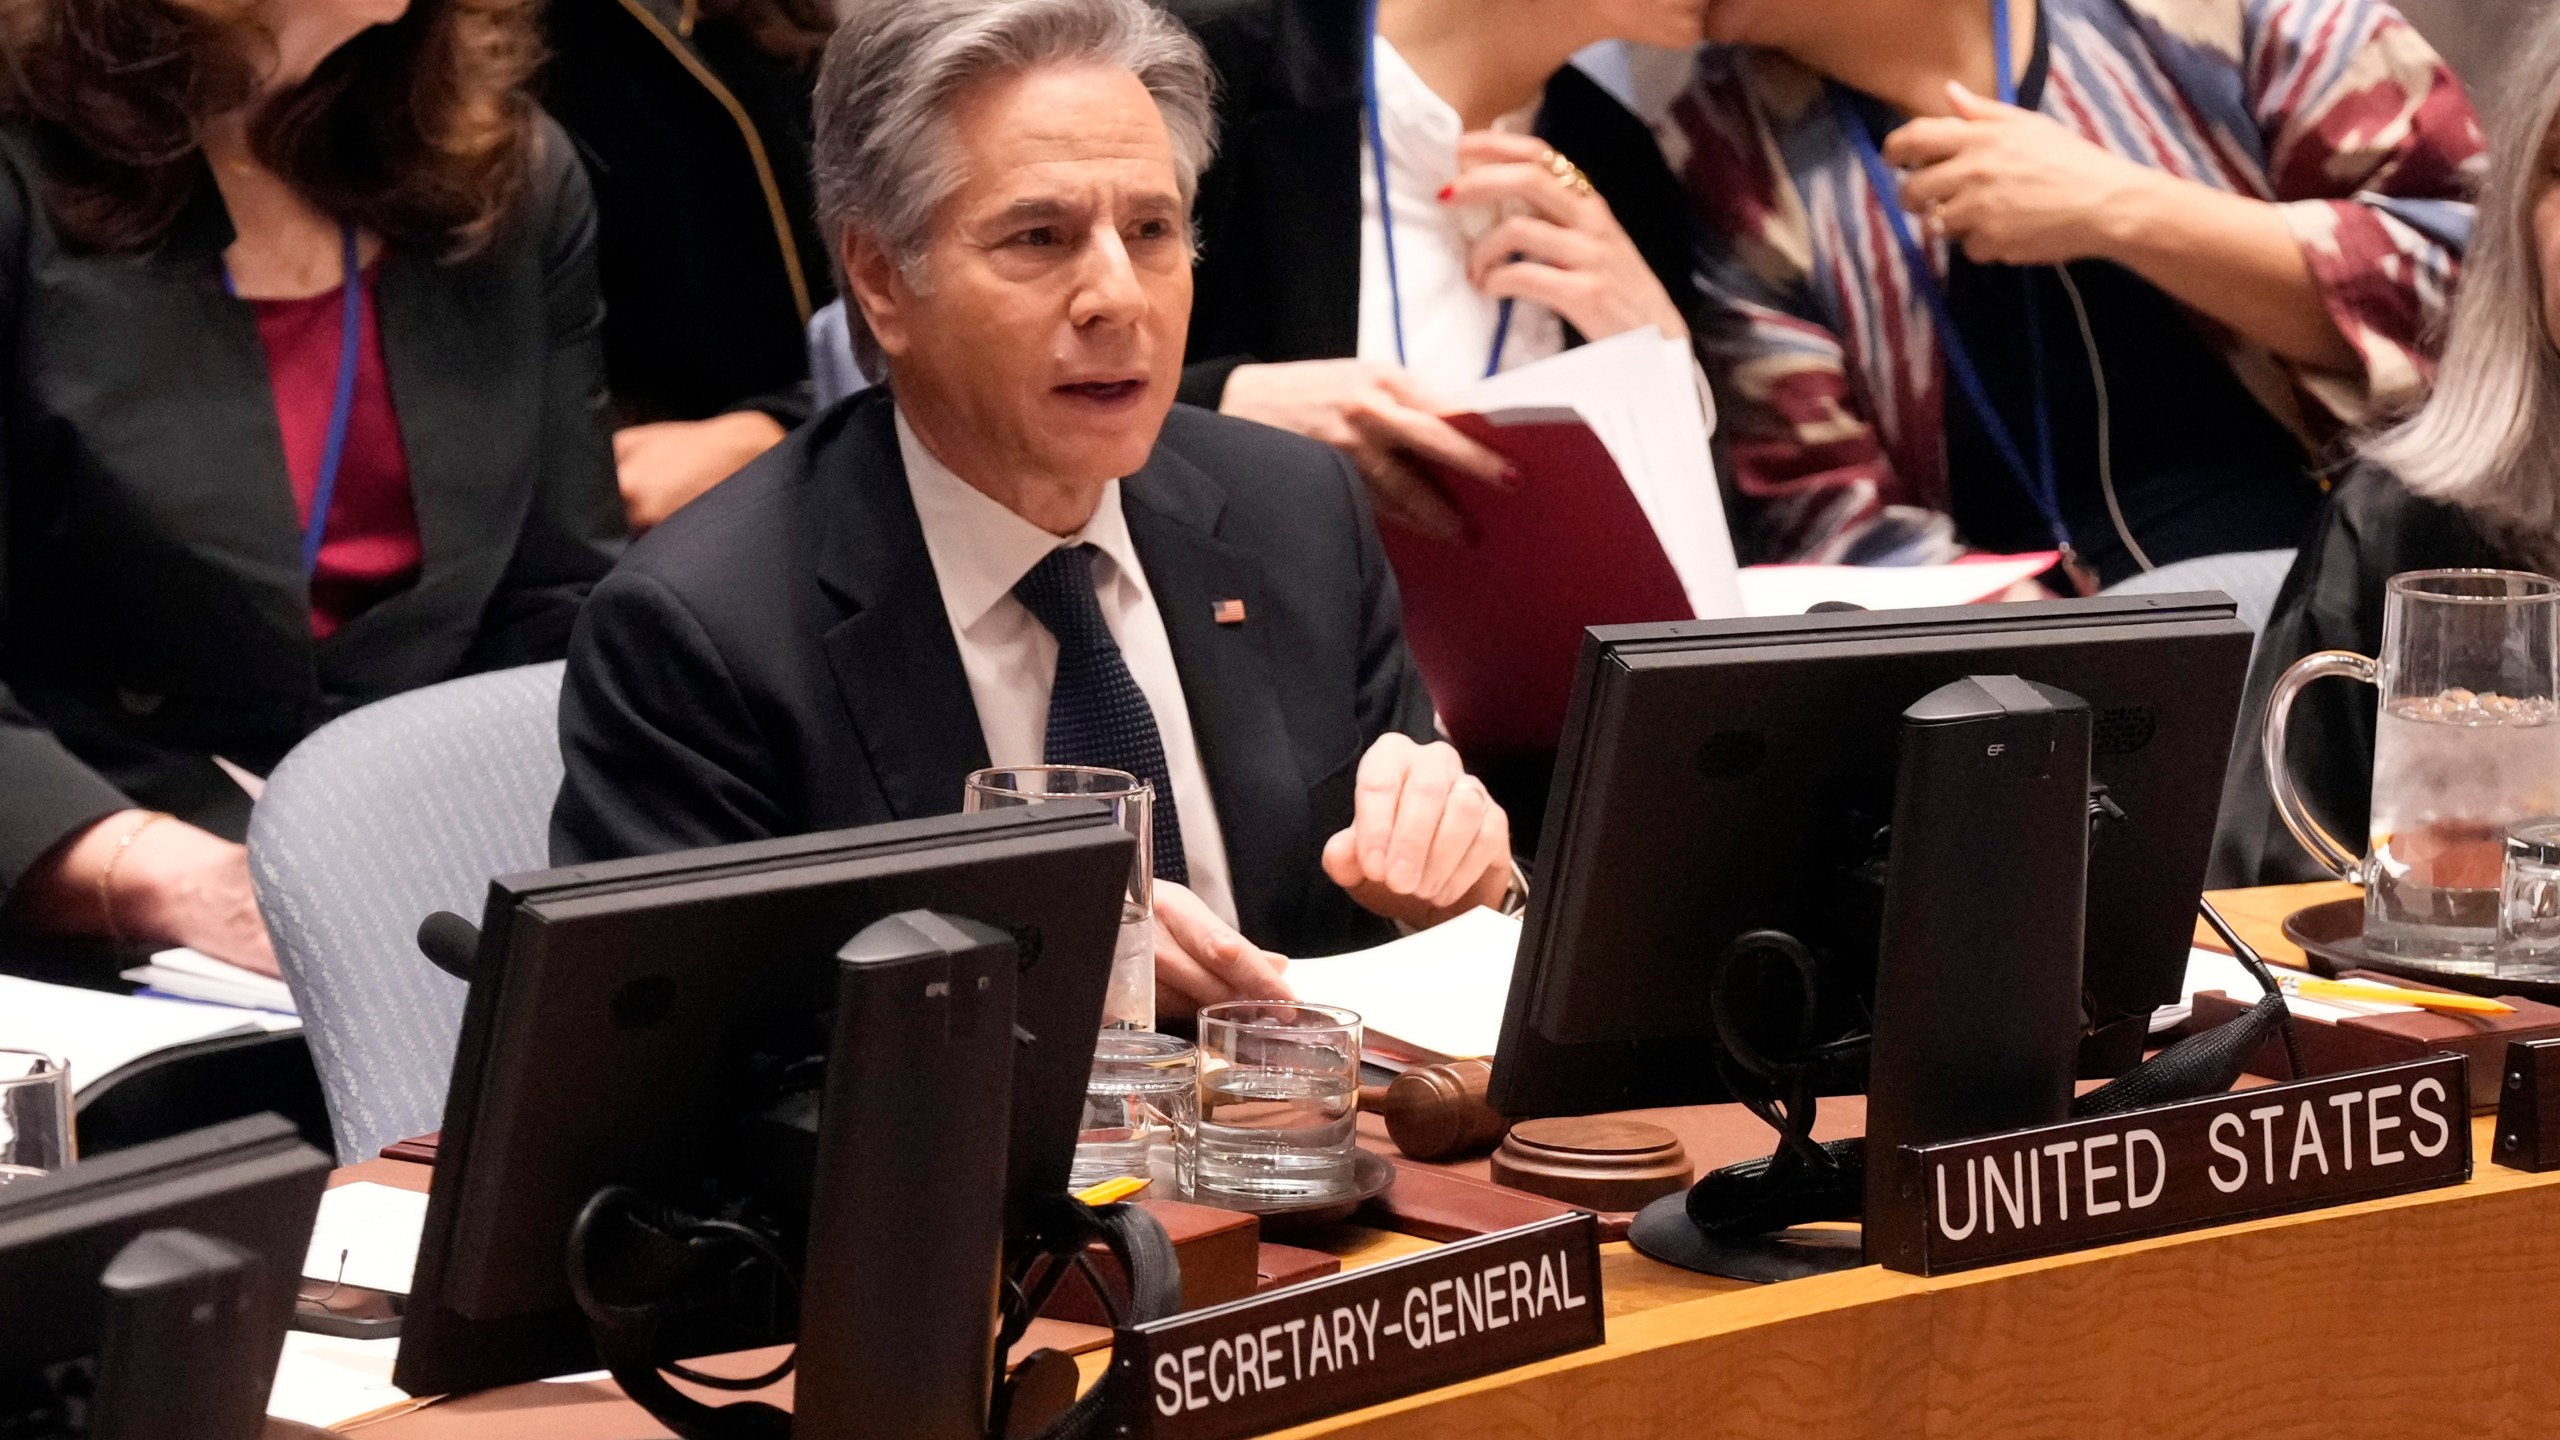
2469	480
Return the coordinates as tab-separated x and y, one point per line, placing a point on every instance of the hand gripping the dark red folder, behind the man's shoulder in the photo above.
1381	419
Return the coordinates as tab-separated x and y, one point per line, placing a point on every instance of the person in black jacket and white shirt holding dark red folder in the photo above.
1594	245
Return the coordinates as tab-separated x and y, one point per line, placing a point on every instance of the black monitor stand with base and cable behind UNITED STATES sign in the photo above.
1978	988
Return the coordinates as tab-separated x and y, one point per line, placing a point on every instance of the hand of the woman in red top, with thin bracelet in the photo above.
173	885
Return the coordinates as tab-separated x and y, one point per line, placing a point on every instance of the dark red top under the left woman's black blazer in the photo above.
370	547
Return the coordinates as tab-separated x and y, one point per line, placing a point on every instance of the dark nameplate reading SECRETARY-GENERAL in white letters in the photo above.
1366	1336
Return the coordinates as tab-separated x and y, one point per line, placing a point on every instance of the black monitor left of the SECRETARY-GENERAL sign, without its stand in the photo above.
626	1021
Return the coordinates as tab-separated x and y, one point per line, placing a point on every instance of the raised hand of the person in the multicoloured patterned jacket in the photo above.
2013	186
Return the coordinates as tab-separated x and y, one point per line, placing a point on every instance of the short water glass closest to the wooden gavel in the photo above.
1279	1100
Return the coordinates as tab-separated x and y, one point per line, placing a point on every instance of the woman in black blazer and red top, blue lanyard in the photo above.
201	224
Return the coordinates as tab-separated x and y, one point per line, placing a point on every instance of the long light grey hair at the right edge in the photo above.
2490	434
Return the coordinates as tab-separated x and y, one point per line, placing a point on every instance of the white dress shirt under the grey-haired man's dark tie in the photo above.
982	552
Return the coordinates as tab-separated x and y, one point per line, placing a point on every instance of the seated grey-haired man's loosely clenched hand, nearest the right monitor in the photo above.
1427	842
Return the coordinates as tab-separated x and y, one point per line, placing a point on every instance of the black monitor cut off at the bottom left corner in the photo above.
244	1190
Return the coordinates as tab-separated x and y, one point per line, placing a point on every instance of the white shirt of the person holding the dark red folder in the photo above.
1448	319
